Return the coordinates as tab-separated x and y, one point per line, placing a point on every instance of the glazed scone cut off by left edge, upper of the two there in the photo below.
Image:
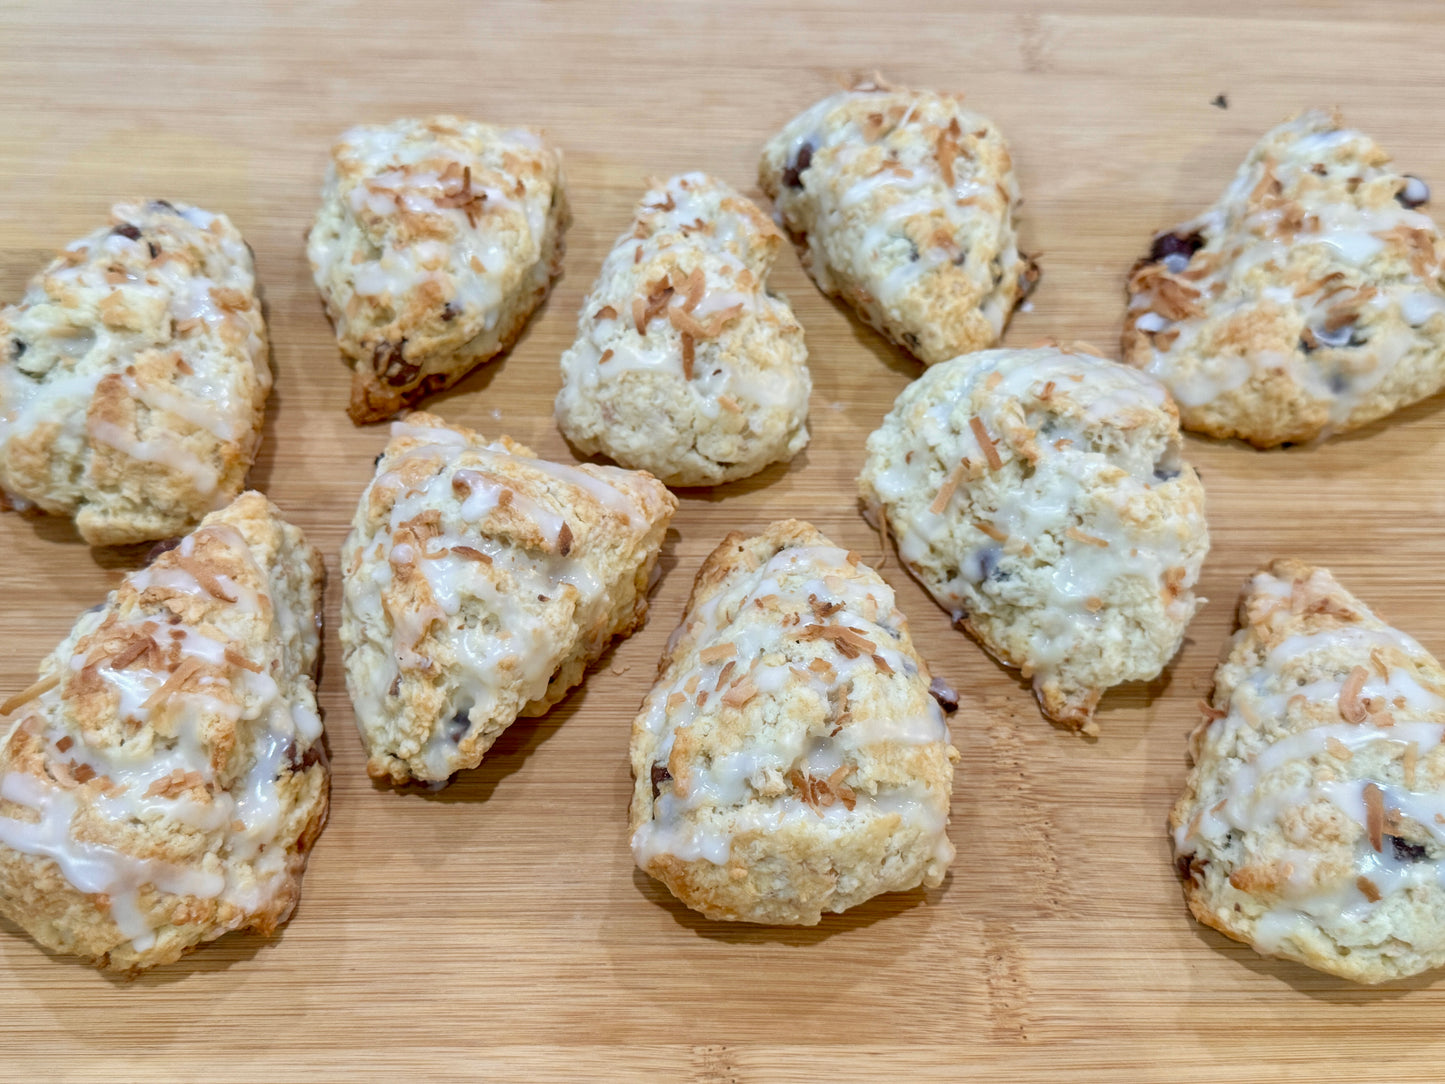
134	377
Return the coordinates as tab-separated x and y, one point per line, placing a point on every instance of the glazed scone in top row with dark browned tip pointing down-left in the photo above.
434	244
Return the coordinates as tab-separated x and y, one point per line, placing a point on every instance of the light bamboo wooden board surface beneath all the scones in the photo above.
499	929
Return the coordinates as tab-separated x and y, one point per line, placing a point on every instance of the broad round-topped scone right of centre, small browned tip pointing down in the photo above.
1043	498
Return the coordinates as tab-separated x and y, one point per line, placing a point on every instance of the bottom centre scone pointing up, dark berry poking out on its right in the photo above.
790	760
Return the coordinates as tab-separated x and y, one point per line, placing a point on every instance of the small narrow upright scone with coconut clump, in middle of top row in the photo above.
684	365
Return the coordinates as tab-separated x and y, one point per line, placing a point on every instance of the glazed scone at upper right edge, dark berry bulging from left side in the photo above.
1307	301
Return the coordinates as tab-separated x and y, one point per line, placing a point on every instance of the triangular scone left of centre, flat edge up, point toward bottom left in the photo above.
480	583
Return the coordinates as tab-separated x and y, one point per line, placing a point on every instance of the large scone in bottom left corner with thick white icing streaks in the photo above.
165	778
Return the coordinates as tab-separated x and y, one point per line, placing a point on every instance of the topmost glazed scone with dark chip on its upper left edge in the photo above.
902	205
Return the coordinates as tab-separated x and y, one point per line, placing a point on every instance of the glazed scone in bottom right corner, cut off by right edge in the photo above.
1311	826
